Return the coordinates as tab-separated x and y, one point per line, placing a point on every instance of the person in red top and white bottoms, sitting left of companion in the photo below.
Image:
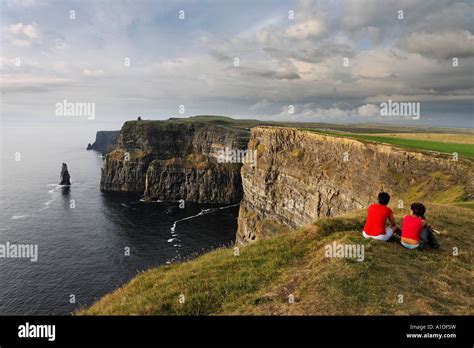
377	215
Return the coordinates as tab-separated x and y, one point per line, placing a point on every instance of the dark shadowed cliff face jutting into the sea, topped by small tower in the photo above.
175	160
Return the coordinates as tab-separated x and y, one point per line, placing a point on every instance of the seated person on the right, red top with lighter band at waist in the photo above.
416	232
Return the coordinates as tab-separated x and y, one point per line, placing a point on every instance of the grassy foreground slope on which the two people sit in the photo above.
260	280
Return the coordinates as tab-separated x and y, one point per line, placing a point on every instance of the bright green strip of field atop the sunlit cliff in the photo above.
463	150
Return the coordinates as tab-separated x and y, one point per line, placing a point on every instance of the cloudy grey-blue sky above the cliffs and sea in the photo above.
328	61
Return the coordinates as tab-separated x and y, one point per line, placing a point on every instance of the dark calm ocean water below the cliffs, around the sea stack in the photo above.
88	242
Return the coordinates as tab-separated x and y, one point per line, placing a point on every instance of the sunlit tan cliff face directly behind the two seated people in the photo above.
301	177
